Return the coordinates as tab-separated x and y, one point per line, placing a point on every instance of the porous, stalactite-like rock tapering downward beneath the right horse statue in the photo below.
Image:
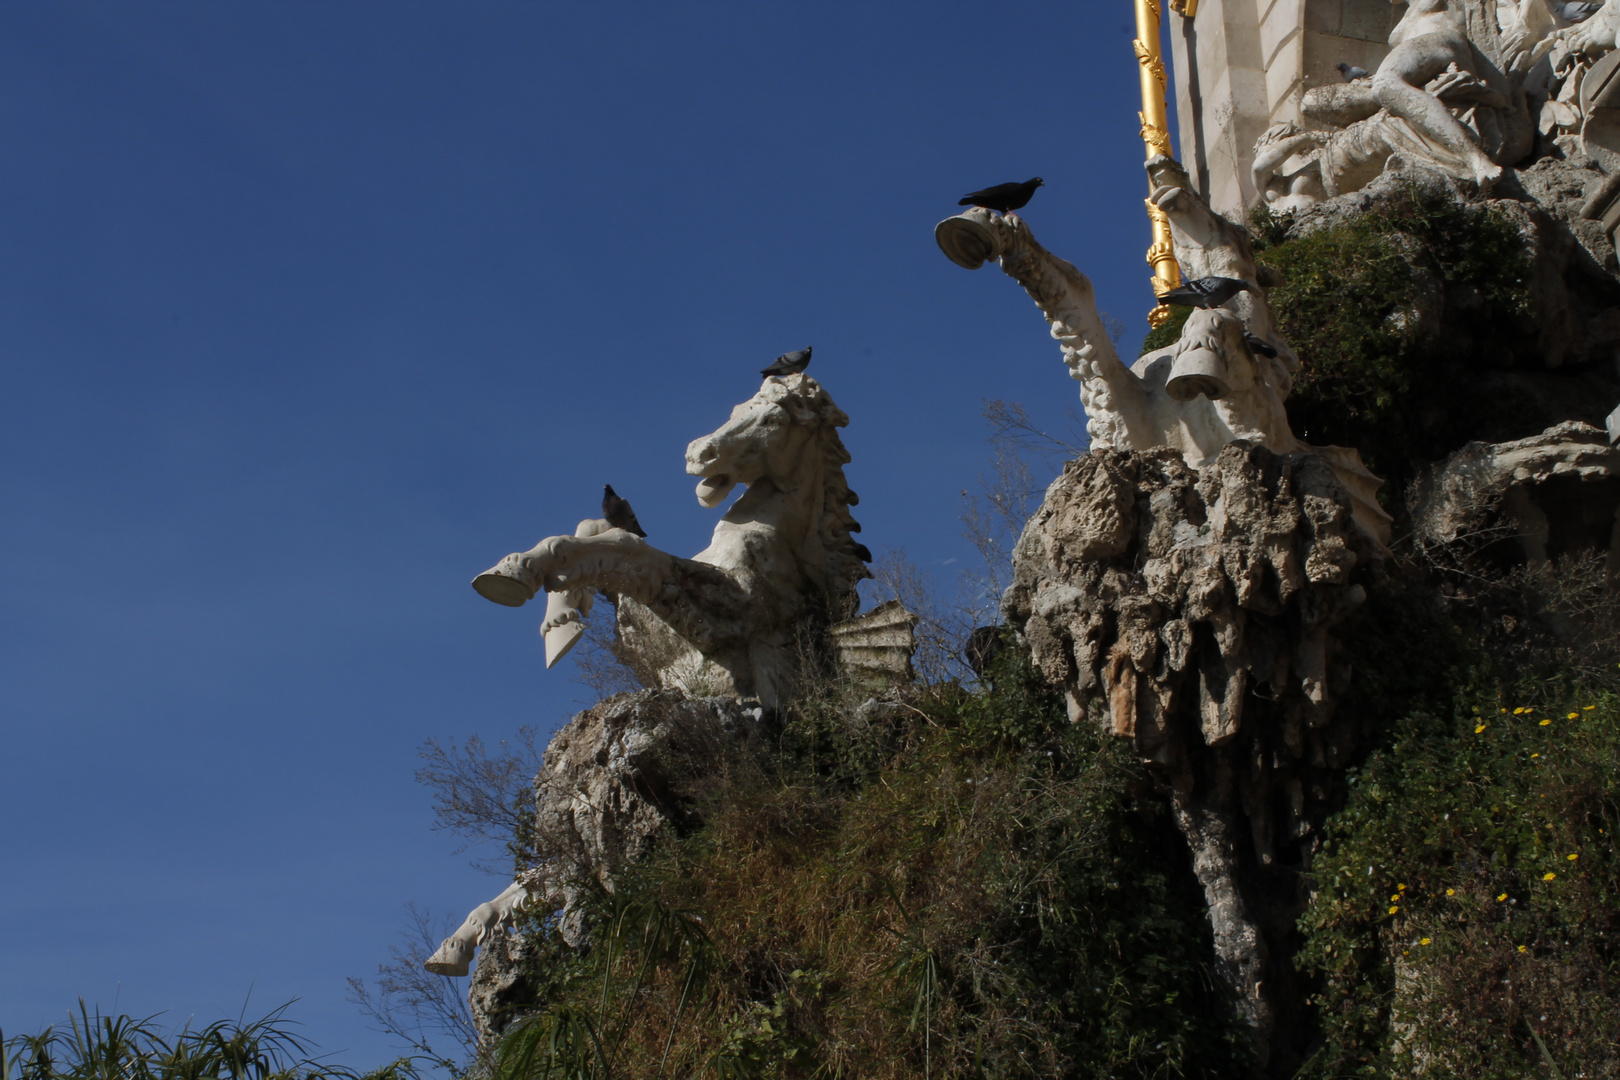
1192	611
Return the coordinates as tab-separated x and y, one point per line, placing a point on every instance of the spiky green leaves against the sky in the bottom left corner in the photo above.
122	1048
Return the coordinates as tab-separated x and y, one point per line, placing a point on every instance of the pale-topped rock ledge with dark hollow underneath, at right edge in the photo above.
1522	501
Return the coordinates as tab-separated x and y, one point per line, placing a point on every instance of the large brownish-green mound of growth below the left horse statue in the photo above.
971	888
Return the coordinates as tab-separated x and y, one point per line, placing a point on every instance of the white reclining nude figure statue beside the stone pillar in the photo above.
1451	96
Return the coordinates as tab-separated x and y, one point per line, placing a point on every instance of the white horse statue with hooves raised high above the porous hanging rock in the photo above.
1203	393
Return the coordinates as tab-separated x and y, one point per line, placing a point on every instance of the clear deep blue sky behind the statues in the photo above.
312	312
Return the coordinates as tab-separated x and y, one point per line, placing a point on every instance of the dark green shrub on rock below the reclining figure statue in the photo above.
1394	315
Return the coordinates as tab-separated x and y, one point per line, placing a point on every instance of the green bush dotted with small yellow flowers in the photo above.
1470	896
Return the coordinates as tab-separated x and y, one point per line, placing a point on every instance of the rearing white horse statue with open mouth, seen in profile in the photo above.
725	621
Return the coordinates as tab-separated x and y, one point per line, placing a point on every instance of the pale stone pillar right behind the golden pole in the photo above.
1242	66
